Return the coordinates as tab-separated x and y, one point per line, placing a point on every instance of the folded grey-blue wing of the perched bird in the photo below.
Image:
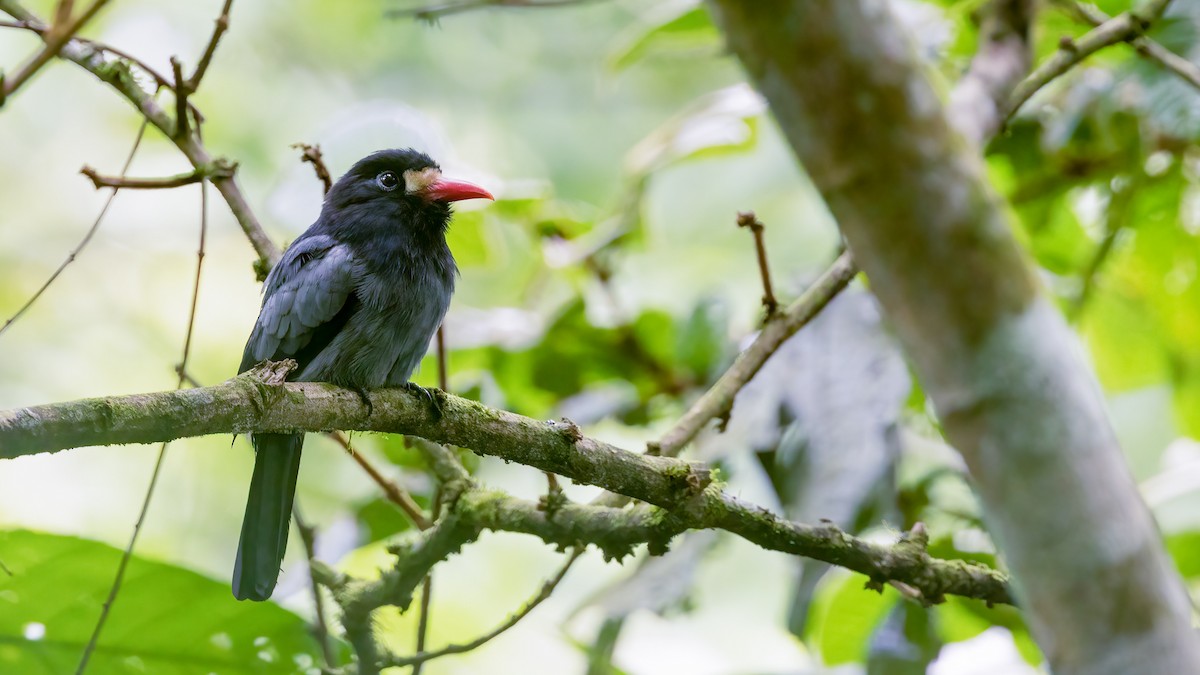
307	301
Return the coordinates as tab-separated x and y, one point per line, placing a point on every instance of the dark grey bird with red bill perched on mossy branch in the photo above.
355	301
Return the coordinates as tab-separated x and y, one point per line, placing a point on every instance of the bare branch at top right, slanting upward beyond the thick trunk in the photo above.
1124	28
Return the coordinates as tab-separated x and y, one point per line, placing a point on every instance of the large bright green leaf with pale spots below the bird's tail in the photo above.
167	620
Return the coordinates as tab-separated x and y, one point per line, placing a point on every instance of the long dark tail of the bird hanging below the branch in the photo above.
265	530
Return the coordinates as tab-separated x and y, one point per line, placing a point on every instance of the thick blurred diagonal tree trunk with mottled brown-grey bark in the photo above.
1000	363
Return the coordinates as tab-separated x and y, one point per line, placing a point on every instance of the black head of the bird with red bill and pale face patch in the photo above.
400	184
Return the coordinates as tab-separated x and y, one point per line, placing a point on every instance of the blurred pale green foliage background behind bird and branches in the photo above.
608	284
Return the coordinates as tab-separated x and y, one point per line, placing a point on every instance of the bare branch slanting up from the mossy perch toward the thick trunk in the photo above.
718	402
